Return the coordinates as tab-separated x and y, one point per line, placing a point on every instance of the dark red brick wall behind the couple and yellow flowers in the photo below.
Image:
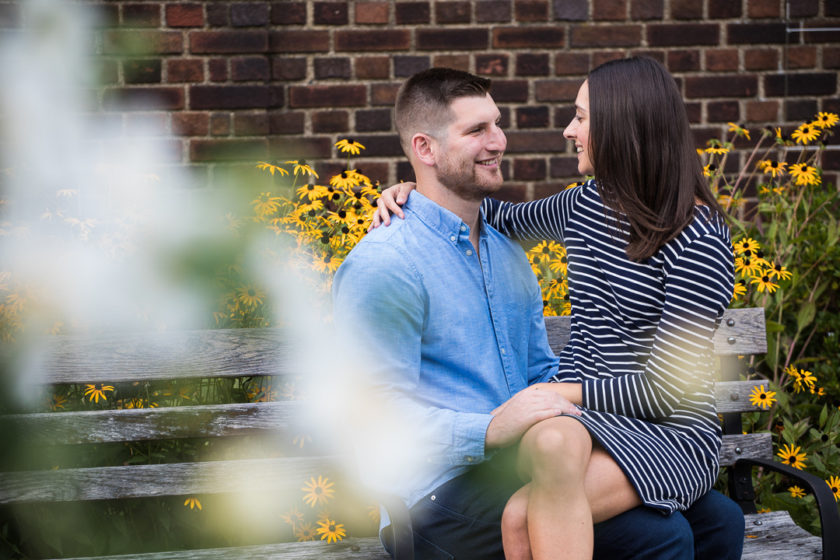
234	81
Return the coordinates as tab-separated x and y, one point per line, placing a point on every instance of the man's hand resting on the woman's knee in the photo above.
523	410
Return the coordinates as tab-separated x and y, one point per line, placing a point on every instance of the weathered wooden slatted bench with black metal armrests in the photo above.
262	352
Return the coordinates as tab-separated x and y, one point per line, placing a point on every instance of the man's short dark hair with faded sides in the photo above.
423	101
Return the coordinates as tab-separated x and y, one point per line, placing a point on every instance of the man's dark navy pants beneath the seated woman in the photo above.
462	520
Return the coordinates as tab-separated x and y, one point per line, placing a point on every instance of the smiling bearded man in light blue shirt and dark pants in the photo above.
454	315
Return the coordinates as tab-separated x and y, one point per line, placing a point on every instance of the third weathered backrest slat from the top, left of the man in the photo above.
278	476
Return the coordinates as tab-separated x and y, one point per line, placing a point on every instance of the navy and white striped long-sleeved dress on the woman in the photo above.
640	340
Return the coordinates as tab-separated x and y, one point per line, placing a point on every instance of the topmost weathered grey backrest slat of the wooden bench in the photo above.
122	357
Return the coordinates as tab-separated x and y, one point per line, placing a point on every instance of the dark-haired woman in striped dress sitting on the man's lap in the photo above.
650	271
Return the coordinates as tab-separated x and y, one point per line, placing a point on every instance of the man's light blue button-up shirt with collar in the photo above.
455	333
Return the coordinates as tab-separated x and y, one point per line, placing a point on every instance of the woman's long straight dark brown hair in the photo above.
646	165
